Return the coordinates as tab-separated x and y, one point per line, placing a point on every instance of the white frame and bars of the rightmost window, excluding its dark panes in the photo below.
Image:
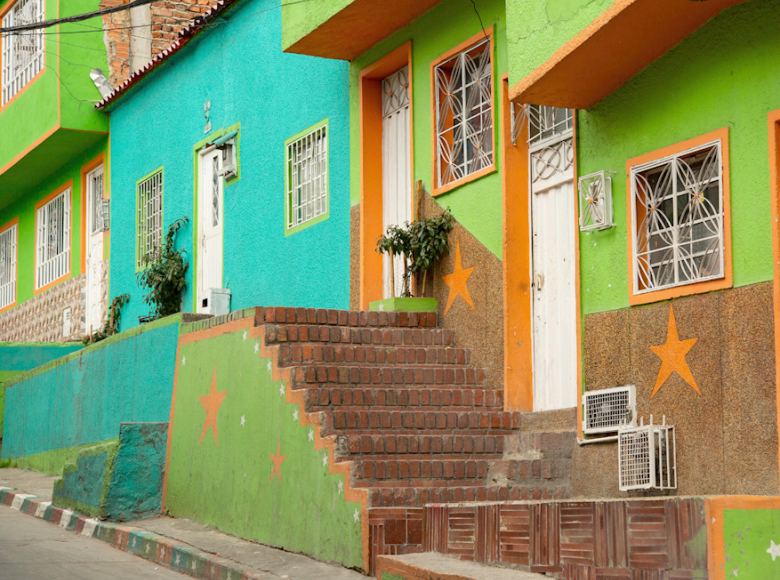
676	255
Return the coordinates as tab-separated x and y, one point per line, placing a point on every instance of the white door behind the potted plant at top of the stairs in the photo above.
396	172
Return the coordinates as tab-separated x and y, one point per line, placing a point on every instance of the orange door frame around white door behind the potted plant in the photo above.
371	219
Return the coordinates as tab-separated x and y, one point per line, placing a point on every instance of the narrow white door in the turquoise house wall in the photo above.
210	220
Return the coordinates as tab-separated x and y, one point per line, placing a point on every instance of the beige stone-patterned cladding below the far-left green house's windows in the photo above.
40	318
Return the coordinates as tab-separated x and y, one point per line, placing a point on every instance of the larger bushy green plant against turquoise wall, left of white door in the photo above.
165	274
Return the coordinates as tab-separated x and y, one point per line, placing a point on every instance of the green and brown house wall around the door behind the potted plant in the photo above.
476	205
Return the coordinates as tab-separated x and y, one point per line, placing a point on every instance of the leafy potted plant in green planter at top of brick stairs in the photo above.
420	244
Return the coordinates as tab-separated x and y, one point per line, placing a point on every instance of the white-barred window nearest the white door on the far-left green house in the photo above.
53	240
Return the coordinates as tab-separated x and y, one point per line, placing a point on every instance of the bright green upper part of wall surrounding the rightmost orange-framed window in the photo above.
723	75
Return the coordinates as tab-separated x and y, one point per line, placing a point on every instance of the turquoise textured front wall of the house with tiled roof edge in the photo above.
269	97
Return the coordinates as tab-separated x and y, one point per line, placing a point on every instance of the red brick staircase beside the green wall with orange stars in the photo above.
412	417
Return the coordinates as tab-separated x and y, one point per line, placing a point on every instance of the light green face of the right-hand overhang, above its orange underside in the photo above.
537	28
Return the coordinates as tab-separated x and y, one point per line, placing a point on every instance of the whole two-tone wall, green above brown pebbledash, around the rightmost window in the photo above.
722	76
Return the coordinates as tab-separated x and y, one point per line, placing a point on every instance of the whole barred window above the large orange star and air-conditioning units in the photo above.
678	219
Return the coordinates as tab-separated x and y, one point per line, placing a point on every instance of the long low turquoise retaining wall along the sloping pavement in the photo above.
76	401
